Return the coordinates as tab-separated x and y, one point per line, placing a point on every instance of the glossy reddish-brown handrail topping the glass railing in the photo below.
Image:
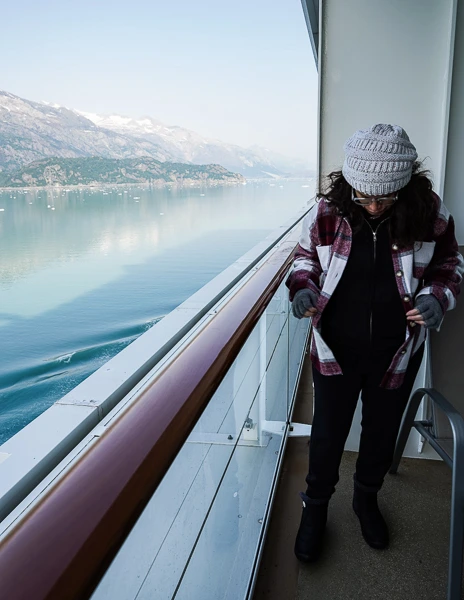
63	546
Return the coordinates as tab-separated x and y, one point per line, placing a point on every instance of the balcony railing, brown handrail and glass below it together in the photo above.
170	494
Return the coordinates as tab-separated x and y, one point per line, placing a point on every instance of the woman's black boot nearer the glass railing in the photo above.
308	543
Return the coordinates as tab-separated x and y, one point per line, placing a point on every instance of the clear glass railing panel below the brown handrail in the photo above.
199	535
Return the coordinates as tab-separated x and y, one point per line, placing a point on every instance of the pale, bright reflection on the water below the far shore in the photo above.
61	244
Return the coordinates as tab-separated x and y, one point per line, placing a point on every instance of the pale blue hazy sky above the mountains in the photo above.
241	71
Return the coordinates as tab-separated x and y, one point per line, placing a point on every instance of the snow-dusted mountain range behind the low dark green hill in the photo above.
31	131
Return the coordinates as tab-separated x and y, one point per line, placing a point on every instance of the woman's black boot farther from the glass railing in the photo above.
373	525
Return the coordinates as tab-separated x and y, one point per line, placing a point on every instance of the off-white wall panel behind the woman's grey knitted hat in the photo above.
385	62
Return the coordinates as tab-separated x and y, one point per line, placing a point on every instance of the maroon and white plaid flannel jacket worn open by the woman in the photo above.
321	257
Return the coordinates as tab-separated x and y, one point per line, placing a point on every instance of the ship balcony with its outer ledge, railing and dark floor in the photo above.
174	470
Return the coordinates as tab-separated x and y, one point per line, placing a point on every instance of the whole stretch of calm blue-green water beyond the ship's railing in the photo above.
83	273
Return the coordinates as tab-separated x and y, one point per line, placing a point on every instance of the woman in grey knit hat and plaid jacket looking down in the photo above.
377	265
